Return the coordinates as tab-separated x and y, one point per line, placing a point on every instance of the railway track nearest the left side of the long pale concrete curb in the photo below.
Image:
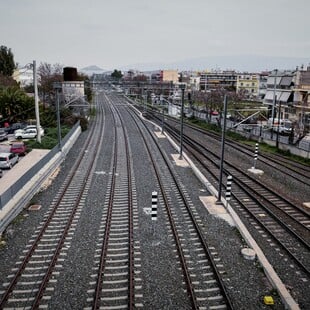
202	271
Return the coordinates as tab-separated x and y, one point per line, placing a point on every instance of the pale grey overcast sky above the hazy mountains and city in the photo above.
114	33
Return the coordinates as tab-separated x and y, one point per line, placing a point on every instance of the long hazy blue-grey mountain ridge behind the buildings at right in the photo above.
241	63
